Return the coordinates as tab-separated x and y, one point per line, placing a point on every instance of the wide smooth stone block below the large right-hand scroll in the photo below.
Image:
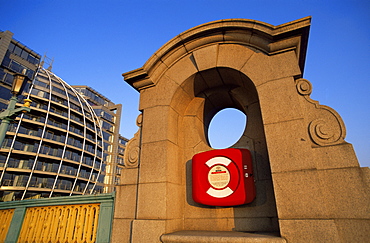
323	194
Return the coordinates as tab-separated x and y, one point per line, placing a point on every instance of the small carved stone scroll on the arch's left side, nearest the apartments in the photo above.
132	151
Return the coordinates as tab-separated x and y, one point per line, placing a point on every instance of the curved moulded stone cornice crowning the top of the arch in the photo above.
261	36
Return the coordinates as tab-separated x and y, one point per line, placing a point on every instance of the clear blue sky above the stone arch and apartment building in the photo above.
93	42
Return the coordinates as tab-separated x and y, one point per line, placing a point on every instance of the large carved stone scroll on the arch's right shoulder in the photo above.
325	126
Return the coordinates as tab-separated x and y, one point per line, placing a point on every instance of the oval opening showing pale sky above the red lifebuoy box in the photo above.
226	128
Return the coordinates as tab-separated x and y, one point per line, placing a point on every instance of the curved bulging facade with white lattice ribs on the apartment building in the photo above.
56	149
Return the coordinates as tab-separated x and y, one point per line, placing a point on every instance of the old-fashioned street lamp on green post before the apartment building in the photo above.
8	116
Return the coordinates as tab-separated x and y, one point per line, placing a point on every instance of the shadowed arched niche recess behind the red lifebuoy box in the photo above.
209	92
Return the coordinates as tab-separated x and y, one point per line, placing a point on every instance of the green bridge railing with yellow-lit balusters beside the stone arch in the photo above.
77	219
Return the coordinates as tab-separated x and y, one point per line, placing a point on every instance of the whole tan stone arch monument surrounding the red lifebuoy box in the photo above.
256	68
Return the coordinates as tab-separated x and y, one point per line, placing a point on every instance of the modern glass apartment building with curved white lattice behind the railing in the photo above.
57	149
